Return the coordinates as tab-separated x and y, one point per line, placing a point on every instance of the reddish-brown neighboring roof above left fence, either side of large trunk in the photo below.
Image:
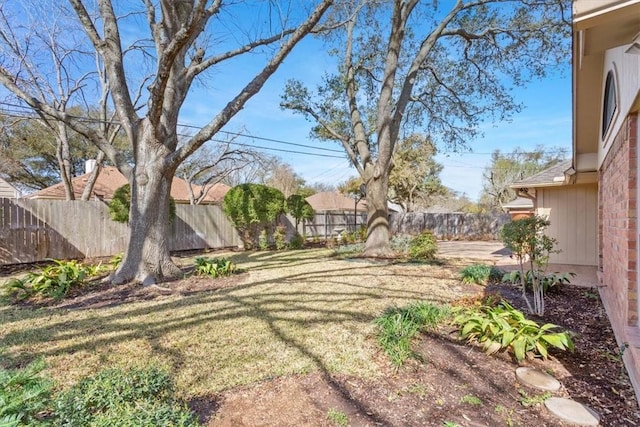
110	179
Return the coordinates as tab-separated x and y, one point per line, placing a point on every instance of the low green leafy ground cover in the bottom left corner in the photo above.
113	397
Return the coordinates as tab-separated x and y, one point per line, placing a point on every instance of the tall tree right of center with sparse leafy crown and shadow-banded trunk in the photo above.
438	67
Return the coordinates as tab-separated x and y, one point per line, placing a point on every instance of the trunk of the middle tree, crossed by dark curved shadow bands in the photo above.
378	233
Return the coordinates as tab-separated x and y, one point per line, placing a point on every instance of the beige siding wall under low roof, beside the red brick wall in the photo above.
573	213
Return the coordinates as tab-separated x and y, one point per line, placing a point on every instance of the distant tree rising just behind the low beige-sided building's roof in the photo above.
507	168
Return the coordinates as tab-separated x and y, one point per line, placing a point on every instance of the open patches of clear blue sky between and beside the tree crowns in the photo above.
545	120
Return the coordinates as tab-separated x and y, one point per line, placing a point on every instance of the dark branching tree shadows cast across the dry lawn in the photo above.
299	300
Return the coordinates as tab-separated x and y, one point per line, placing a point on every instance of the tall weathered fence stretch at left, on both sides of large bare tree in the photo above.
33	230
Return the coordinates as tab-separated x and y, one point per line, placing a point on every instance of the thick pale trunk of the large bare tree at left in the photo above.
147	259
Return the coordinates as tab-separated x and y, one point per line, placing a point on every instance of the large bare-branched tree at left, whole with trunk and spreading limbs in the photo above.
176	46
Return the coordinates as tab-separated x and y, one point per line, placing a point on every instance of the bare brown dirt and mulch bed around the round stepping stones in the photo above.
453	383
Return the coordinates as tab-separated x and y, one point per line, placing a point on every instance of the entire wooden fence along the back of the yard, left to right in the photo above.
34	230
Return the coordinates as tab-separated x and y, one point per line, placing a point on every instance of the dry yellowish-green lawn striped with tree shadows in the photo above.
292	312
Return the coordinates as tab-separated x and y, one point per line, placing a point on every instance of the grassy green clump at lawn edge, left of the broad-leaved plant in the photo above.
398	326
